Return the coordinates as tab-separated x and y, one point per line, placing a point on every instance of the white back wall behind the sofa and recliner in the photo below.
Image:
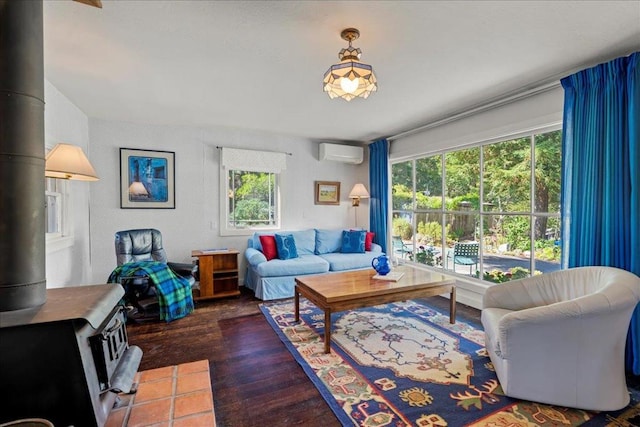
194	224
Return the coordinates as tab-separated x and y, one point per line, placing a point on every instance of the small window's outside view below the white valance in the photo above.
251	199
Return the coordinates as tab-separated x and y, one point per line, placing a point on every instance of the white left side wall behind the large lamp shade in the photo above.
69	264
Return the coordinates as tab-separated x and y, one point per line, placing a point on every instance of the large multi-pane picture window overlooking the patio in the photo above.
491	212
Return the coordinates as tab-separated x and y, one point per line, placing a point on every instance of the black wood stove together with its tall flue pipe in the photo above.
63	352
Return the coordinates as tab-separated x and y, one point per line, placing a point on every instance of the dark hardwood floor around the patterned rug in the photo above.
255	380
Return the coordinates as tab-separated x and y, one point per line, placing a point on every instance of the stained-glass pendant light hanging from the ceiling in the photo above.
350	78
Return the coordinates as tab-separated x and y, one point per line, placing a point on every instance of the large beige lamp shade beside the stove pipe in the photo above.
66	161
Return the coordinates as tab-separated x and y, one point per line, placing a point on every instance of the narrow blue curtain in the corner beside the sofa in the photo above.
379	183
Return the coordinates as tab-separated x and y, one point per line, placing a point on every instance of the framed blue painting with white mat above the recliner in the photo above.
147	179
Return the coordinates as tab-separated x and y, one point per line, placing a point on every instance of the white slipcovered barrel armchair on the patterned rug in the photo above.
559	338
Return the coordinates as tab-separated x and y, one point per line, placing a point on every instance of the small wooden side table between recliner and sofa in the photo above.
218	274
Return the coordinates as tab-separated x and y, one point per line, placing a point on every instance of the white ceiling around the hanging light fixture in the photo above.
259	64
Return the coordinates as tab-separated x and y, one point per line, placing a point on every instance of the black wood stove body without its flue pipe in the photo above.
66	360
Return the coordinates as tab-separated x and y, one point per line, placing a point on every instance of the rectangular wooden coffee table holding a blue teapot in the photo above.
333	292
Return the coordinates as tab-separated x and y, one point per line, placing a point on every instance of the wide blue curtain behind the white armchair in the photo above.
601	174
